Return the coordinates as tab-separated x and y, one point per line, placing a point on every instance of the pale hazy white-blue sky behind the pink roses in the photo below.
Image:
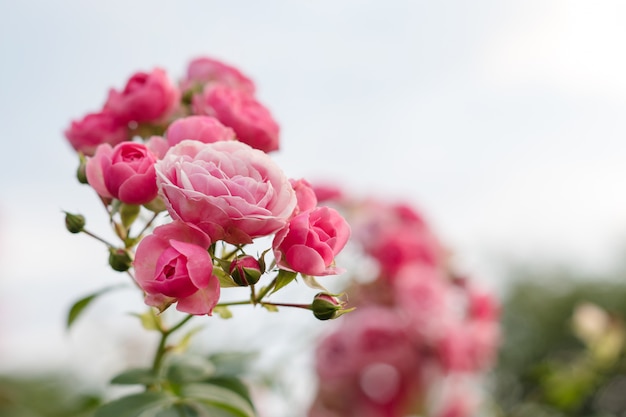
503	121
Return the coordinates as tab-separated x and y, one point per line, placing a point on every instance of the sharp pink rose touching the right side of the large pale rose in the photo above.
310	242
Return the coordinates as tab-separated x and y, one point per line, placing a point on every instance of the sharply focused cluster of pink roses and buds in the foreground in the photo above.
194	156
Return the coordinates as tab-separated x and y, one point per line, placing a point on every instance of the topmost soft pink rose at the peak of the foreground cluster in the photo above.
204	70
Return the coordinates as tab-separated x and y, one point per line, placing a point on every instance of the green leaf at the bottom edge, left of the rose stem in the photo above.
146	404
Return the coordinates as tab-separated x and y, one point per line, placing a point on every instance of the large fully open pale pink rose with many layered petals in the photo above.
227	189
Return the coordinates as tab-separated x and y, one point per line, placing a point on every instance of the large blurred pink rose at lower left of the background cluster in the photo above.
368	366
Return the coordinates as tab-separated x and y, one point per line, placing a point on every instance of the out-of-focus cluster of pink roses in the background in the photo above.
421	337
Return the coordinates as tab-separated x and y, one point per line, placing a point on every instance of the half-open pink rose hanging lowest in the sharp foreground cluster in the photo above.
173	265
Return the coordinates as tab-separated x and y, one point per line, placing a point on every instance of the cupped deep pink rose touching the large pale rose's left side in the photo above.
125	172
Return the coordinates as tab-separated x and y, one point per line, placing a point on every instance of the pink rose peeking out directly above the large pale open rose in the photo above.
202	128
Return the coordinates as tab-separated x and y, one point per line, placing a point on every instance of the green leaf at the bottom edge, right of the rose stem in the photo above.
220	398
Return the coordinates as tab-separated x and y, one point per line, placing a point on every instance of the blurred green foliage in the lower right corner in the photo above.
545	368
